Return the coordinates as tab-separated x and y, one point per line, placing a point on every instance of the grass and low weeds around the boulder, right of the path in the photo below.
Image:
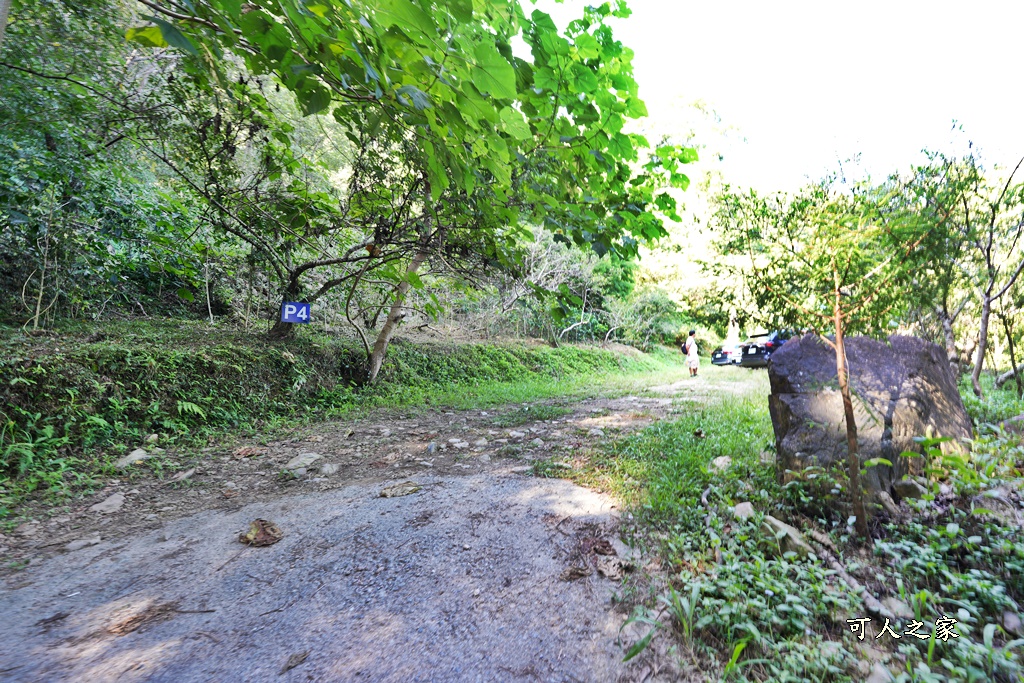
740	610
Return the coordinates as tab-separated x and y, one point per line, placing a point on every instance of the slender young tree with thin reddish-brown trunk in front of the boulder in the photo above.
833	262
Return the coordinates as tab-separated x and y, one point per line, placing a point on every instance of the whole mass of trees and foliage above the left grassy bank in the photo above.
370	159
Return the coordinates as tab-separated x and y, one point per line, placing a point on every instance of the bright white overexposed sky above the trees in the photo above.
807	84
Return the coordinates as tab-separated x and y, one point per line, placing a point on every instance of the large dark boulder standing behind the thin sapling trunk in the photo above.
902	391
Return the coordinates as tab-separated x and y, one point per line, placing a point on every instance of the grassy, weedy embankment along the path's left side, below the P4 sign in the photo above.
76	400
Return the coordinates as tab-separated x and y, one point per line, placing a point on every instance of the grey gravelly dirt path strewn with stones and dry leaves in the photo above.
484	574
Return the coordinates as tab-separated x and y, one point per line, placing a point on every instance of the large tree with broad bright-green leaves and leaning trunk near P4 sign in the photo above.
460	144
